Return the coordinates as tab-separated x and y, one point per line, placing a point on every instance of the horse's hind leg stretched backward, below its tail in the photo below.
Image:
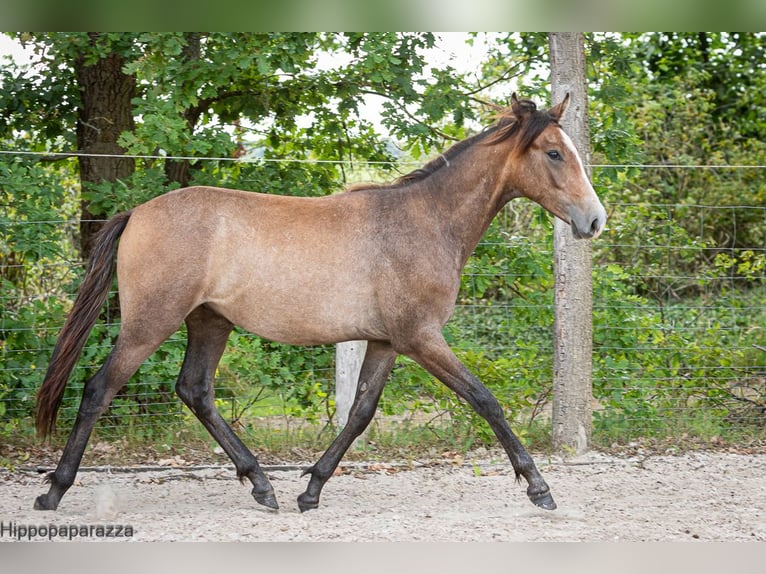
98	392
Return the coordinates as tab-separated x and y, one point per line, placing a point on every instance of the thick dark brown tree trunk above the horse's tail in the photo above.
105	112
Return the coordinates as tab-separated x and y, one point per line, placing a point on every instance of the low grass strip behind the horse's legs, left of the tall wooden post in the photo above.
276	440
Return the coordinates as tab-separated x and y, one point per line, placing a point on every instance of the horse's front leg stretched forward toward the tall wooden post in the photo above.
431	351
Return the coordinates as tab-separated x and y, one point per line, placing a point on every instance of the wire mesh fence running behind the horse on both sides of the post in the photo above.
679	330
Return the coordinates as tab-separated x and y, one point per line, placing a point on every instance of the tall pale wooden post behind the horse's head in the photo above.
573	328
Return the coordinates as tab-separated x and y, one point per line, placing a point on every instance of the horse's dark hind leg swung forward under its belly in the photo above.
208	333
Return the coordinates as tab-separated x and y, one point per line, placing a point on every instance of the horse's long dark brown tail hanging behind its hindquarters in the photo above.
91	297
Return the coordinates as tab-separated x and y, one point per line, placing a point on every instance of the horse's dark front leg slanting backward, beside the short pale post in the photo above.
378	362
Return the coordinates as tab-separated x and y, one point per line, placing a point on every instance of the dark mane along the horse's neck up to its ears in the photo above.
528	128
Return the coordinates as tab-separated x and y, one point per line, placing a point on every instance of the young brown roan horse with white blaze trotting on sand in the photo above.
381	264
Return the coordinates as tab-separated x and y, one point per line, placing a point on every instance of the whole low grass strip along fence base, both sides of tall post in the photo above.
278	440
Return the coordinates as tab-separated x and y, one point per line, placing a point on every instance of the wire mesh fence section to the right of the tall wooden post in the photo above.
690	350
